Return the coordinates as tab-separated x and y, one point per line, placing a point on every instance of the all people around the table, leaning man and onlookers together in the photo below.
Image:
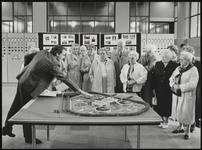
172	77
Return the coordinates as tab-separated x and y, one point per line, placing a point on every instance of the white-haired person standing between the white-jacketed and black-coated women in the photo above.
148	61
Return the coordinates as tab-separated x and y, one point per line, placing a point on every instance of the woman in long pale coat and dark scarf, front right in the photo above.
183	83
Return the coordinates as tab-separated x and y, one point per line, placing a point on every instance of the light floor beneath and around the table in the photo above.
97	137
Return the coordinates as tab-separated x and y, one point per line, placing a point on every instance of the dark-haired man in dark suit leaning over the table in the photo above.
33	80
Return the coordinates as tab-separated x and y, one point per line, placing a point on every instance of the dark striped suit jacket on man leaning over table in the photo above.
38	75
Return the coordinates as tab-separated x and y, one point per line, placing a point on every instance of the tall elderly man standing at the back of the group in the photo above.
120	58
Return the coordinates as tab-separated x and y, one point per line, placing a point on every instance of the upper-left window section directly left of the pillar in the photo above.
22	17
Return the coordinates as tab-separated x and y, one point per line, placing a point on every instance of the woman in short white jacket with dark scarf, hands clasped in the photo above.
133	75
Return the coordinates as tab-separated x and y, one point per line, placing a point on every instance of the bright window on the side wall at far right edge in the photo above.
195	15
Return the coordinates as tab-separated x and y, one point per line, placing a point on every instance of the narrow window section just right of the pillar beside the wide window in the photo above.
139	17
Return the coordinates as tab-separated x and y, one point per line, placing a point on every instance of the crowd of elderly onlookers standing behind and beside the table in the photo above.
173	78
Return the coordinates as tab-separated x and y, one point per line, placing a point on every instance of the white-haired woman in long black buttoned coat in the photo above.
160	79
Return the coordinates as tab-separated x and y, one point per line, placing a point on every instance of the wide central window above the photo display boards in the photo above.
80	17
